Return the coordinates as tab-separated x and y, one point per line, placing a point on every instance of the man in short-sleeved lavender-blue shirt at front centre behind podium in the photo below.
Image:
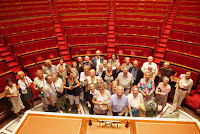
118	103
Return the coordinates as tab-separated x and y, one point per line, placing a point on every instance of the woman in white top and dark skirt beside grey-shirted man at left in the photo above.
58	85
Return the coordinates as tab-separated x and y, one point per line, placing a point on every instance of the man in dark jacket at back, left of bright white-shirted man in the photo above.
136	72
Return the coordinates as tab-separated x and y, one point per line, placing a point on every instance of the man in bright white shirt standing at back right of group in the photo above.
147	64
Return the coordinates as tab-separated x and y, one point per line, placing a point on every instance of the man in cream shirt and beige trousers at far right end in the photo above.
183	88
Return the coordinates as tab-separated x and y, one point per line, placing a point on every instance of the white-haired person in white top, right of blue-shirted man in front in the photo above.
135	99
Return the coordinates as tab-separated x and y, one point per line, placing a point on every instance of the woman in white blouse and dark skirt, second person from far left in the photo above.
25	83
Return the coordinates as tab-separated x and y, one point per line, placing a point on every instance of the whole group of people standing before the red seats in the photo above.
108	87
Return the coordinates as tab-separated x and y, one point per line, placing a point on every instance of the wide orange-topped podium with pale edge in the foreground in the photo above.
59	123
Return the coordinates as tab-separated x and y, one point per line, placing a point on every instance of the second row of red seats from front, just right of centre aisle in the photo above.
137	40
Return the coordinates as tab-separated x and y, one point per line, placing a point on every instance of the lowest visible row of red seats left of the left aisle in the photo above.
38	56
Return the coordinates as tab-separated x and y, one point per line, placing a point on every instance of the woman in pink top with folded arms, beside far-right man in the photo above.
162	91
